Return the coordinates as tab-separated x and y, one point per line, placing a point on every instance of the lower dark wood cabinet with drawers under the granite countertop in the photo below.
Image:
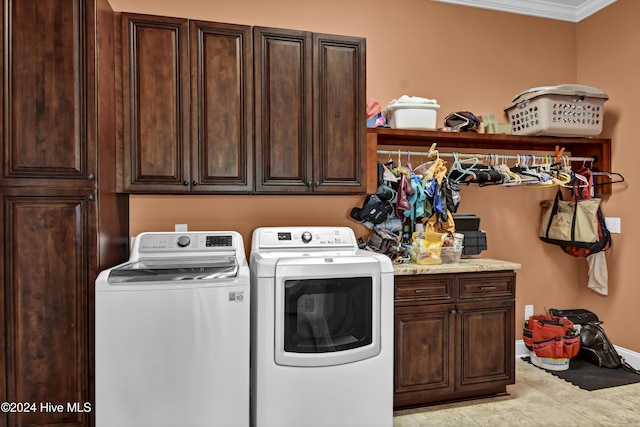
455	336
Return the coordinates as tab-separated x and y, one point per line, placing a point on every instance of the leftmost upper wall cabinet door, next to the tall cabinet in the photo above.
156	103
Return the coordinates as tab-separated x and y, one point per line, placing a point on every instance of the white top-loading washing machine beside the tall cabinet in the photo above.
172	333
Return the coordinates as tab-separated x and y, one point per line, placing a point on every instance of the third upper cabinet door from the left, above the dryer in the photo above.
284	134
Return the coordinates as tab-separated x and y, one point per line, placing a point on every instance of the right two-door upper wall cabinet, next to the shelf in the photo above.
310	112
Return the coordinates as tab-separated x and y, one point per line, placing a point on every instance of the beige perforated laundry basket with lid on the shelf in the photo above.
564	110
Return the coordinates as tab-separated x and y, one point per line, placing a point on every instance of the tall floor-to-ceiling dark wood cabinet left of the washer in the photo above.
62	221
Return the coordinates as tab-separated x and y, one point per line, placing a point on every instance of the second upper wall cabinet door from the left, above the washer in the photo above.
222	107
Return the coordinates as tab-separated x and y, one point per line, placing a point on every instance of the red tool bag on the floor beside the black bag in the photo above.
551	336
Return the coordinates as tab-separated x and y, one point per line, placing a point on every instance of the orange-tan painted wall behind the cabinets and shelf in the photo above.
468	59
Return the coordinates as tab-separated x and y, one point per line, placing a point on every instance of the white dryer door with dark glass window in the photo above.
327	310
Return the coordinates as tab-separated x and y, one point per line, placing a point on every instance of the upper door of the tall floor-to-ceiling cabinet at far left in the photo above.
46	140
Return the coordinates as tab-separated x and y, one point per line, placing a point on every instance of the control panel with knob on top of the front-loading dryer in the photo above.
293	237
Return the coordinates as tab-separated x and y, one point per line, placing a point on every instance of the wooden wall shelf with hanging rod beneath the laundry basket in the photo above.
598	148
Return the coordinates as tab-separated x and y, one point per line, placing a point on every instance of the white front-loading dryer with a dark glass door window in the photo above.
322	330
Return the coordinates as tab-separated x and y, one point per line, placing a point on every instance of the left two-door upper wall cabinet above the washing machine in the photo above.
187	105
